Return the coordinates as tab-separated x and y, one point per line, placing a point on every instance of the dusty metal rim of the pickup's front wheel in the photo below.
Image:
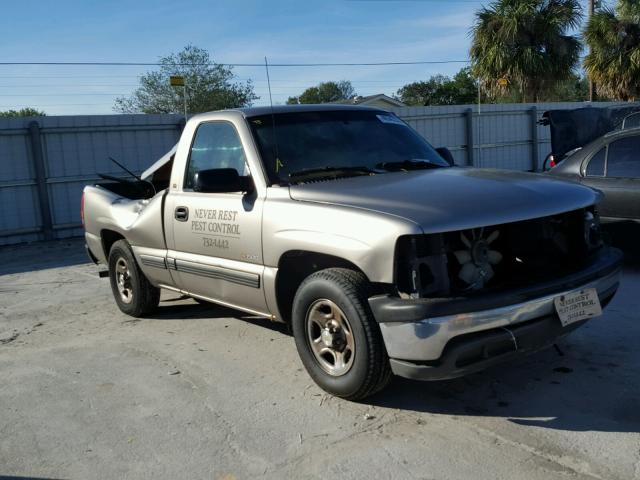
330	337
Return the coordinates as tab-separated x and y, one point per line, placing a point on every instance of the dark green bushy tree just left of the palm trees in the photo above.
440	90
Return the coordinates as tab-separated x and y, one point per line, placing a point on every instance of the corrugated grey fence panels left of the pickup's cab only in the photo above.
74	150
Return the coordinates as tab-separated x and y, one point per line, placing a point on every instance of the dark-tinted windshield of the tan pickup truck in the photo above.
339	142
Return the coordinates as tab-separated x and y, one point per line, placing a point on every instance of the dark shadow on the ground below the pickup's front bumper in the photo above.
543	390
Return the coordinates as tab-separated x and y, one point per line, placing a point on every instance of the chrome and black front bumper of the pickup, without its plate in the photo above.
459	342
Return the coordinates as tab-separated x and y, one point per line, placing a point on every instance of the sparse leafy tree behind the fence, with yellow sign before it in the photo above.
209	86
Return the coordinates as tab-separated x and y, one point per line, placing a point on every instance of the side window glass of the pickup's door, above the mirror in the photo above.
215	145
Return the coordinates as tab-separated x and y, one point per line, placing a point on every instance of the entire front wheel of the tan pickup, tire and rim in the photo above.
337	337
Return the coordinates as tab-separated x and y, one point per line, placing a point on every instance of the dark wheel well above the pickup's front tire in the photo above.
294	267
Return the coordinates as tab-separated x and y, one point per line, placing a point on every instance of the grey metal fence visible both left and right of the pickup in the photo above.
46	161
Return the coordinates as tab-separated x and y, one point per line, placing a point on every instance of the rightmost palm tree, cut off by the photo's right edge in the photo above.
614	60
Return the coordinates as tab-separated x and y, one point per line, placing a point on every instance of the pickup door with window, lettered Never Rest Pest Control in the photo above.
215	238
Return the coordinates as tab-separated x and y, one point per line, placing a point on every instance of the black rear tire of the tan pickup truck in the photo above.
144	297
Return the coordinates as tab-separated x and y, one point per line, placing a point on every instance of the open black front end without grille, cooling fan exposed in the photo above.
496	257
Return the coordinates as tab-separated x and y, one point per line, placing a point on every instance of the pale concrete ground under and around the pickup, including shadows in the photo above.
205	392
